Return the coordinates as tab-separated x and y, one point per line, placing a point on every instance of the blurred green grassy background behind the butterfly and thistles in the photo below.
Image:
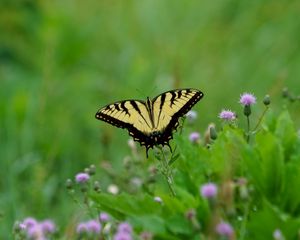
61	60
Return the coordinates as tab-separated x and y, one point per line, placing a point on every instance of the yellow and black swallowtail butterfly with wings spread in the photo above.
151	122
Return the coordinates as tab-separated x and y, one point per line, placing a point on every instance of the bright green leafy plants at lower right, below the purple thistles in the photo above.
272	203
